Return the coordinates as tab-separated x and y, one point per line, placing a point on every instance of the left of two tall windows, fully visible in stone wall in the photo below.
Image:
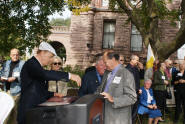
109	34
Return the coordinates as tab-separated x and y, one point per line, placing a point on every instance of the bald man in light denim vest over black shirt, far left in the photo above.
10	73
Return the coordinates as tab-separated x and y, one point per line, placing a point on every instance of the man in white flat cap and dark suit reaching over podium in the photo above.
34	78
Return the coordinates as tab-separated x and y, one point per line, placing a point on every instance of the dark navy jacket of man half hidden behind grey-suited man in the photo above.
89	83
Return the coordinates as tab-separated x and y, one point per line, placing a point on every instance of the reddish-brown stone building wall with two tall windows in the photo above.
89	33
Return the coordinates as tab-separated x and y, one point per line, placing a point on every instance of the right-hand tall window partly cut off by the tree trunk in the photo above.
136	39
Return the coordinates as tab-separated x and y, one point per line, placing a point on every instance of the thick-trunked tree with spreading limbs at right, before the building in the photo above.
146	15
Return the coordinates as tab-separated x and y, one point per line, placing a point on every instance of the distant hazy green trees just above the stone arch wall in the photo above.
60	22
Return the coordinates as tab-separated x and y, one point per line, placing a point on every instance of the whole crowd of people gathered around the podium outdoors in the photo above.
110	76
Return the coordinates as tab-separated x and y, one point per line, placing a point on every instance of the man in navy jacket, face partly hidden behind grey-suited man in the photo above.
92	79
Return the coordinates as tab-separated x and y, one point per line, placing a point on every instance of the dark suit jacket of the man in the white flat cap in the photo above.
34	86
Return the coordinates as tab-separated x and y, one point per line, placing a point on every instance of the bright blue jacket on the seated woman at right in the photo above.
143	105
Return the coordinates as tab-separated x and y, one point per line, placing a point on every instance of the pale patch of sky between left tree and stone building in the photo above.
65	14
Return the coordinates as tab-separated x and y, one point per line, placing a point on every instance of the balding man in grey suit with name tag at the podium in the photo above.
118	88
